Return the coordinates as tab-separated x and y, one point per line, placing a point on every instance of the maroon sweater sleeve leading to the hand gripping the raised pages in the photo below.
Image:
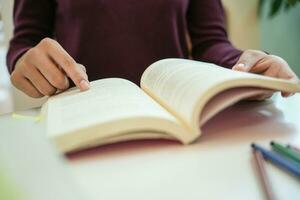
207	29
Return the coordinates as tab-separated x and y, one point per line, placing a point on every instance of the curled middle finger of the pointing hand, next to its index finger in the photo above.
51	72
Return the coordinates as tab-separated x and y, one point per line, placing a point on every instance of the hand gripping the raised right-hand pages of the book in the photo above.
261	63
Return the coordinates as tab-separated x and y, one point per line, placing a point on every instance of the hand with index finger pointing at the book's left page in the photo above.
43	70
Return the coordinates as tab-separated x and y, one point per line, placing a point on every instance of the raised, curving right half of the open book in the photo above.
184	86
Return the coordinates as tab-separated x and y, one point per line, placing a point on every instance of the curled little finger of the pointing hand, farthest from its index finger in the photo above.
25	86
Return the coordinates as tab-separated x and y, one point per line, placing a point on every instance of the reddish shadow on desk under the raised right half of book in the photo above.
247	121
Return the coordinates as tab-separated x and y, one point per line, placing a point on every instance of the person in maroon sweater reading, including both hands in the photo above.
120	38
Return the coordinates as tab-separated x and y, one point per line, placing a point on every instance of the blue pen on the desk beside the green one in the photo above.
279	160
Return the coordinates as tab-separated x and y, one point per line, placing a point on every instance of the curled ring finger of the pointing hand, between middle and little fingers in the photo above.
39	81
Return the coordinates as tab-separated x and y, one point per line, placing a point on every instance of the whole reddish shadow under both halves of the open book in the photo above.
245	122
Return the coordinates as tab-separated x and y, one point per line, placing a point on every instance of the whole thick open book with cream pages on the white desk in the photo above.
177	97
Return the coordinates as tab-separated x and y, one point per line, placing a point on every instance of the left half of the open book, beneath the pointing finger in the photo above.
111	107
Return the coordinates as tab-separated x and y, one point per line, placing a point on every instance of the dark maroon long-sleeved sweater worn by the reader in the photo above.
121	38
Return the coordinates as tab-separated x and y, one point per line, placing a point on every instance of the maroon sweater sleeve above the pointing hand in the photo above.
33	21
